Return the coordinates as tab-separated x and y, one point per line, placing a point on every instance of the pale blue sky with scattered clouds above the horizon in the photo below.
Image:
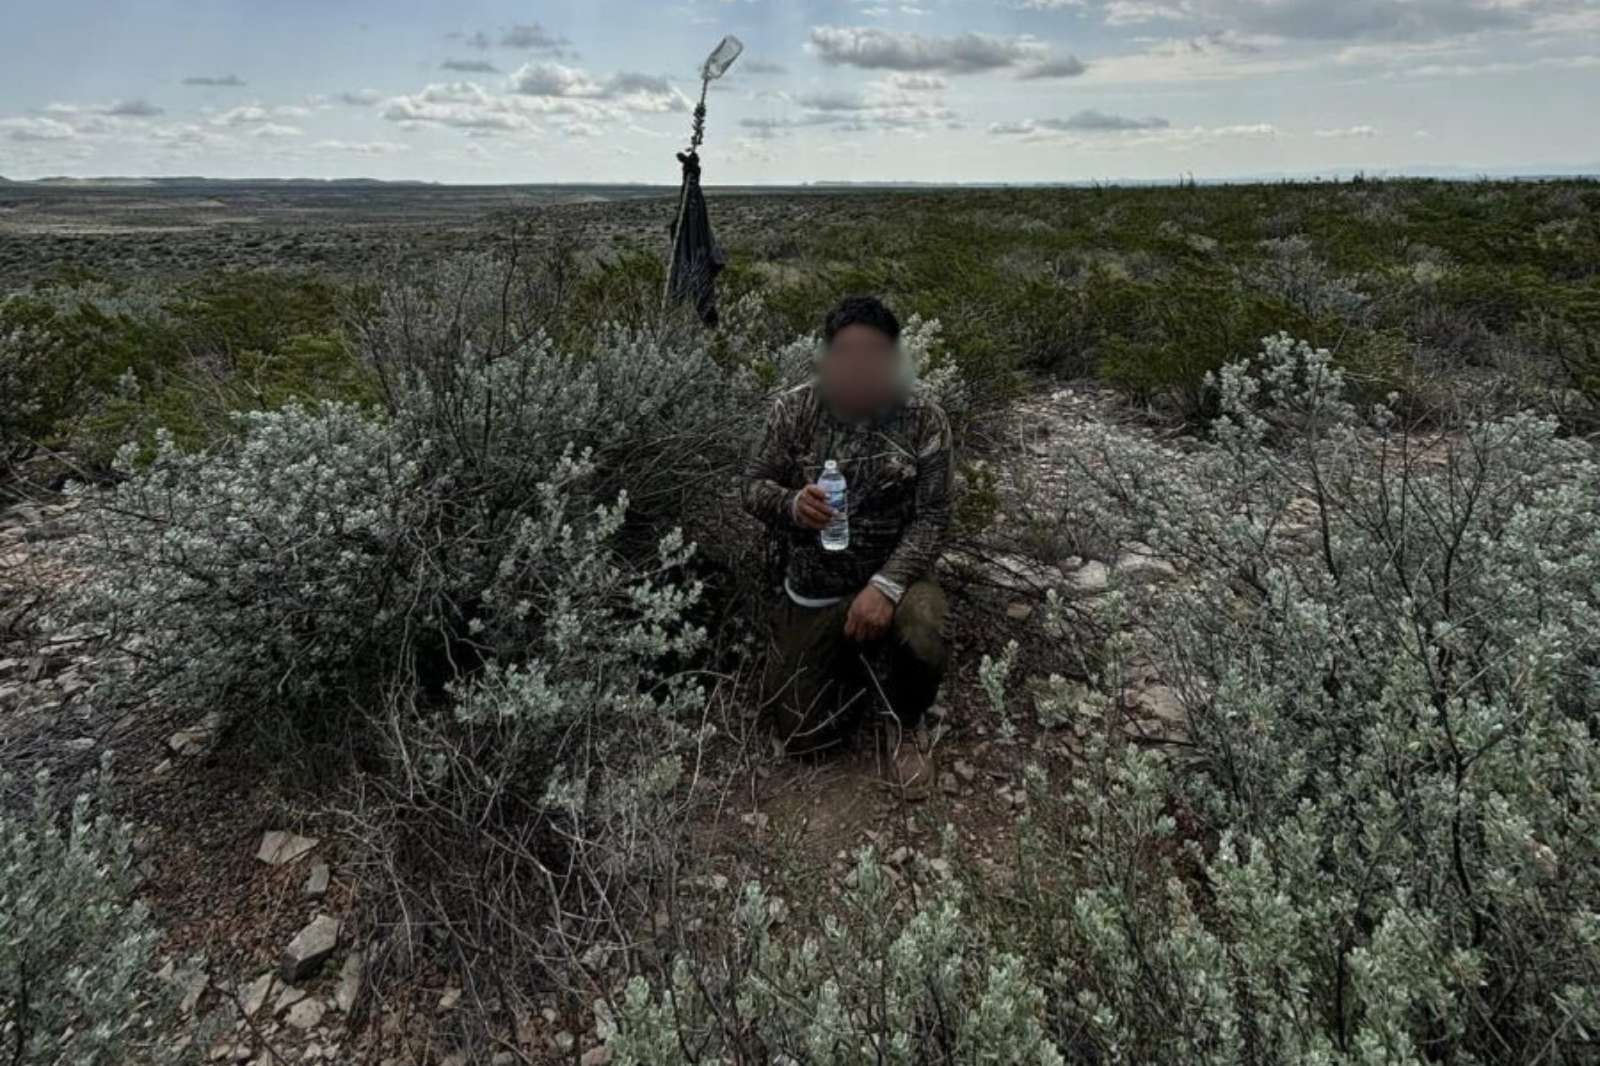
826	90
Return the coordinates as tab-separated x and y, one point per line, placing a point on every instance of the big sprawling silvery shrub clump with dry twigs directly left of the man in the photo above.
476	585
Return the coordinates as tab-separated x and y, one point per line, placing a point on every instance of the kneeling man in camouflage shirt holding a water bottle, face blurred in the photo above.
858	635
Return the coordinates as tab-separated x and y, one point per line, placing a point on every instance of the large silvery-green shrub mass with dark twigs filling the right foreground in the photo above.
1386	652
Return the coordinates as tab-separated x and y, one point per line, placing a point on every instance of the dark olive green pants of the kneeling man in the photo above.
820	684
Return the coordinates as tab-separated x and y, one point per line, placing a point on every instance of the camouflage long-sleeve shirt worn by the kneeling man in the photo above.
898	471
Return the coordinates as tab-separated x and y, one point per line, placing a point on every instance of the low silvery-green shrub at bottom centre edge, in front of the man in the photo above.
874	985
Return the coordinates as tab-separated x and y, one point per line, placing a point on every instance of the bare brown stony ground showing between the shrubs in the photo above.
239	873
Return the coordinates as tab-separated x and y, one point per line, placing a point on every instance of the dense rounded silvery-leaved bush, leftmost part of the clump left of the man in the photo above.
271	577
